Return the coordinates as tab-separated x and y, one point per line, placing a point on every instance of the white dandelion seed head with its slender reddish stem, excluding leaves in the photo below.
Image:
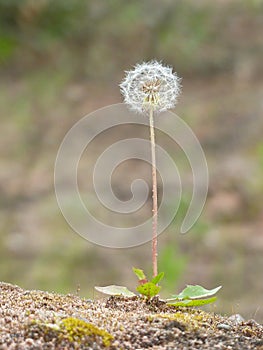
151	88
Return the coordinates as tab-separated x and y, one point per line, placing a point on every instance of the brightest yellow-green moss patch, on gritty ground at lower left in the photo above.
76	329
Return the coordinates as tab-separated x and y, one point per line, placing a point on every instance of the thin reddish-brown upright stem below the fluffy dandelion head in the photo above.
154	196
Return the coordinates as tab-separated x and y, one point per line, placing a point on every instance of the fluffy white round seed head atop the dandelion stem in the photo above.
150	86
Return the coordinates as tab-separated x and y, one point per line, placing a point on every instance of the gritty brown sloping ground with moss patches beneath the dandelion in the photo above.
43	320
